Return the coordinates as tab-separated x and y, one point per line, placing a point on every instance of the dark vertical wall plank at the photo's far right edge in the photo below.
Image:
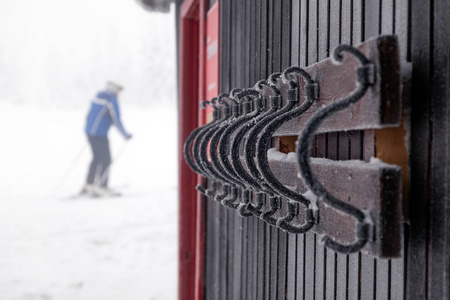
439	272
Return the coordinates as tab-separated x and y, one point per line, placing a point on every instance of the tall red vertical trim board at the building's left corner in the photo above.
188	120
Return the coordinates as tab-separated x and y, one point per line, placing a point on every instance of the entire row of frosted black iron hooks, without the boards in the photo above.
250	117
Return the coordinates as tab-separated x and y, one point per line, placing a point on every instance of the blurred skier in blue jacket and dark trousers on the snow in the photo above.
104	112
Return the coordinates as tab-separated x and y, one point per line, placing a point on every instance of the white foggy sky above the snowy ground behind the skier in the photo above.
62	52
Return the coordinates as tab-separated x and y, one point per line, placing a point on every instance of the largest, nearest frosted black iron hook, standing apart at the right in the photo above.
365	78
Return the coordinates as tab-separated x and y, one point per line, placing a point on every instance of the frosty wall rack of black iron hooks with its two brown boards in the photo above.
355	89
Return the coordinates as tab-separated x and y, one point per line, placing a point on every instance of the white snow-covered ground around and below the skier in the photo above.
52	247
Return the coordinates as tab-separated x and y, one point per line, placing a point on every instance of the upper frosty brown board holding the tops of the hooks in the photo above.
378	108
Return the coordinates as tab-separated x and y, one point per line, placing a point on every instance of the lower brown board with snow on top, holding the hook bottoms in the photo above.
374	186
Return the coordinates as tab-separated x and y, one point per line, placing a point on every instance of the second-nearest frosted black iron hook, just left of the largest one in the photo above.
311	92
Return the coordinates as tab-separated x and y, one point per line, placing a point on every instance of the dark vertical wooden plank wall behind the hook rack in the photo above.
248	259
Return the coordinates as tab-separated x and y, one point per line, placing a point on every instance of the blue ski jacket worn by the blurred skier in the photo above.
103	113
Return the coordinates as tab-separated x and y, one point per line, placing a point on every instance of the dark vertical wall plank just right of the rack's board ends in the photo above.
419	155
